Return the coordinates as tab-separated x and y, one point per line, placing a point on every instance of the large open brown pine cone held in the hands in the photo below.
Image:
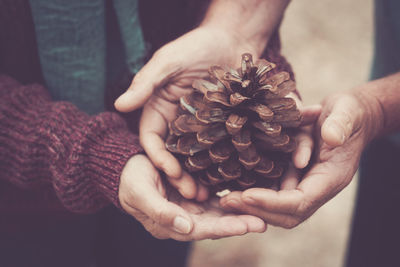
236	130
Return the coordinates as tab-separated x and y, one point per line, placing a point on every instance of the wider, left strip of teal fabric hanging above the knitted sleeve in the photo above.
71	43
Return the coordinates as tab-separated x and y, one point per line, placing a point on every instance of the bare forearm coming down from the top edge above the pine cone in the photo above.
253	21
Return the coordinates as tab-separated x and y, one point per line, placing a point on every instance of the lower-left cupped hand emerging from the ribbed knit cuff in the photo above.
166	214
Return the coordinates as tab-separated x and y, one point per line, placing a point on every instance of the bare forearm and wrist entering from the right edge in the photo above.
382	98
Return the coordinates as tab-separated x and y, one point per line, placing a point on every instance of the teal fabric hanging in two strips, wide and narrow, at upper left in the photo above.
74	49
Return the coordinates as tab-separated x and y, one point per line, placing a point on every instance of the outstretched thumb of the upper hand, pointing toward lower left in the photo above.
148	79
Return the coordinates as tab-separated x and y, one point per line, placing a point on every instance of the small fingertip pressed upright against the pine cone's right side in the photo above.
301	156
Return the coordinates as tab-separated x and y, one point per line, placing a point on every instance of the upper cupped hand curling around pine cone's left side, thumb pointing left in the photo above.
168	76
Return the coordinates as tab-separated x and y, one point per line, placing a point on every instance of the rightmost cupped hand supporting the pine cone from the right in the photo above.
347	123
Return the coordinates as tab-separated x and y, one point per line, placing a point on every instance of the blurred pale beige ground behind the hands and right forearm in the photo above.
329	44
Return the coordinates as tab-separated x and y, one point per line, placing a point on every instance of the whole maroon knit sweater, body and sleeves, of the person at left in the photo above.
53	157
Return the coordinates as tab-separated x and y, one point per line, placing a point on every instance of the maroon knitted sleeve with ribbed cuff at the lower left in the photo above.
53	143
